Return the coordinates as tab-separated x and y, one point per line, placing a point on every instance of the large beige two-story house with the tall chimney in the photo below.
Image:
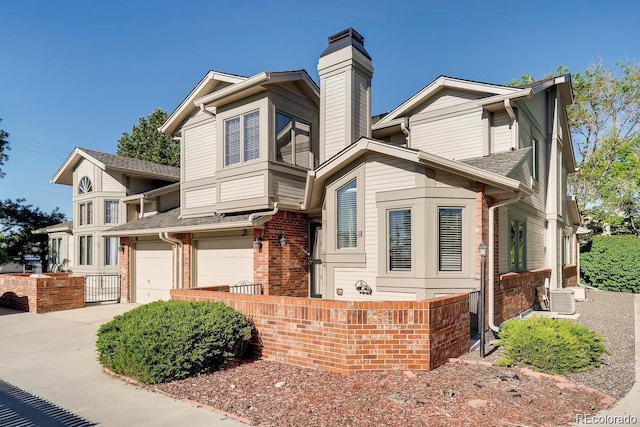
298	188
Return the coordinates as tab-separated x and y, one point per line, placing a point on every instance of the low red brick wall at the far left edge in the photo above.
41	294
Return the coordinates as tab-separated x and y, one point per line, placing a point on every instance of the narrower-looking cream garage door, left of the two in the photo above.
154	269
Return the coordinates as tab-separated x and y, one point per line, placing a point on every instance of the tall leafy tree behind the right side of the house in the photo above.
605	128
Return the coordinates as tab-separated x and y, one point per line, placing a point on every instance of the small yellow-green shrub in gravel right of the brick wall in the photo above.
554	346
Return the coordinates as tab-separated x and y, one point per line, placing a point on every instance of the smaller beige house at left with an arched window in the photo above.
102	184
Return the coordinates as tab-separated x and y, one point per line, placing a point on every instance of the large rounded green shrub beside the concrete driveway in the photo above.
168	340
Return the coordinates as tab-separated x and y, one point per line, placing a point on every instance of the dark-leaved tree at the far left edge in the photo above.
18	221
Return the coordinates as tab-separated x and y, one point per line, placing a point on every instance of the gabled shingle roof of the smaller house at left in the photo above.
106	161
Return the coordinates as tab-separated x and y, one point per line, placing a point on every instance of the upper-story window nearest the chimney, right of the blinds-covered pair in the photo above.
293	140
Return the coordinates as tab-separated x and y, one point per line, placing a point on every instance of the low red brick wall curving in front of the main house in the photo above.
351	337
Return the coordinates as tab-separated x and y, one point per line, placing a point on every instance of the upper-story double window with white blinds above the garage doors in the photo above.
242	138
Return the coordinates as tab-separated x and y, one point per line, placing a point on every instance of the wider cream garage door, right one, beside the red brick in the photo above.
224	261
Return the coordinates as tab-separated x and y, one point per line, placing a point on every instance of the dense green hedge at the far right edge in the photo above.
612	263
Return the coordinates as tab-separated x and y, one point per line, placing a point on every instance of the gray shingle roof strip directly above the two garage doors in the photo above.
171	219
